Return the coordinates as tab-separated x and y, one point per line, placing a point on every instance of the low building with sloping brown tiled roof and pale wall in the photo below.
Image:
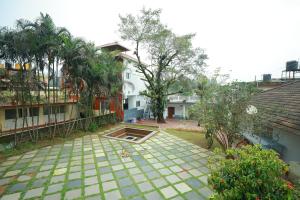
280	111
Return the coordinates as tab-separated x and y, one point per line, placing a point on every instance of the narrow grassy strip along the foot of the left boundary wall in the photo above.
29	146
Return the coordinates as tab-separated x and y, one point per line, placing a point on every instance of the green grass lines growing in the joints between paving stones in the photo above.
116	148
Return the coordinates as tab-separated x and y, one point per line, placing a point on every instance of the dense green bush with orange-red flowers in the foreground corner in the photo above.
250	173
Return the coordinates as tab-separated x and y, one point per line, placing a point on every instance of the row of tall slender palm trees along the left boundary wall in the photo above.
48	56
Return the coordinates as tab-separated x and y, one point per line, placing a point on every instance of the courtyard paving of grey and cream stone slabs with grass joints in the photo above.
91	167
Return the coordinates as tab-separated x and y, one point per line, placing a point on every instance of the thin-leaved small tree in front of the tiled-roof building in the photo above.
222	108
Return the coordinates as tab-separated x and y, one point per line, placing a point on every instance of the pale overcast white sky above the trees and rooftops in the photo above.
243	37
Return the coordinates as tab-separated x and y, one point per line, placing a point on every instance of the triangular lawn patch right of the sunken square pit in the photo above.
192	136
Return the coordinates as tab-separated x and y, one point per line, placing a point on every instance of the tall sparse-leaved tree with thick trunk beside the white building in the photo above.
172	57
